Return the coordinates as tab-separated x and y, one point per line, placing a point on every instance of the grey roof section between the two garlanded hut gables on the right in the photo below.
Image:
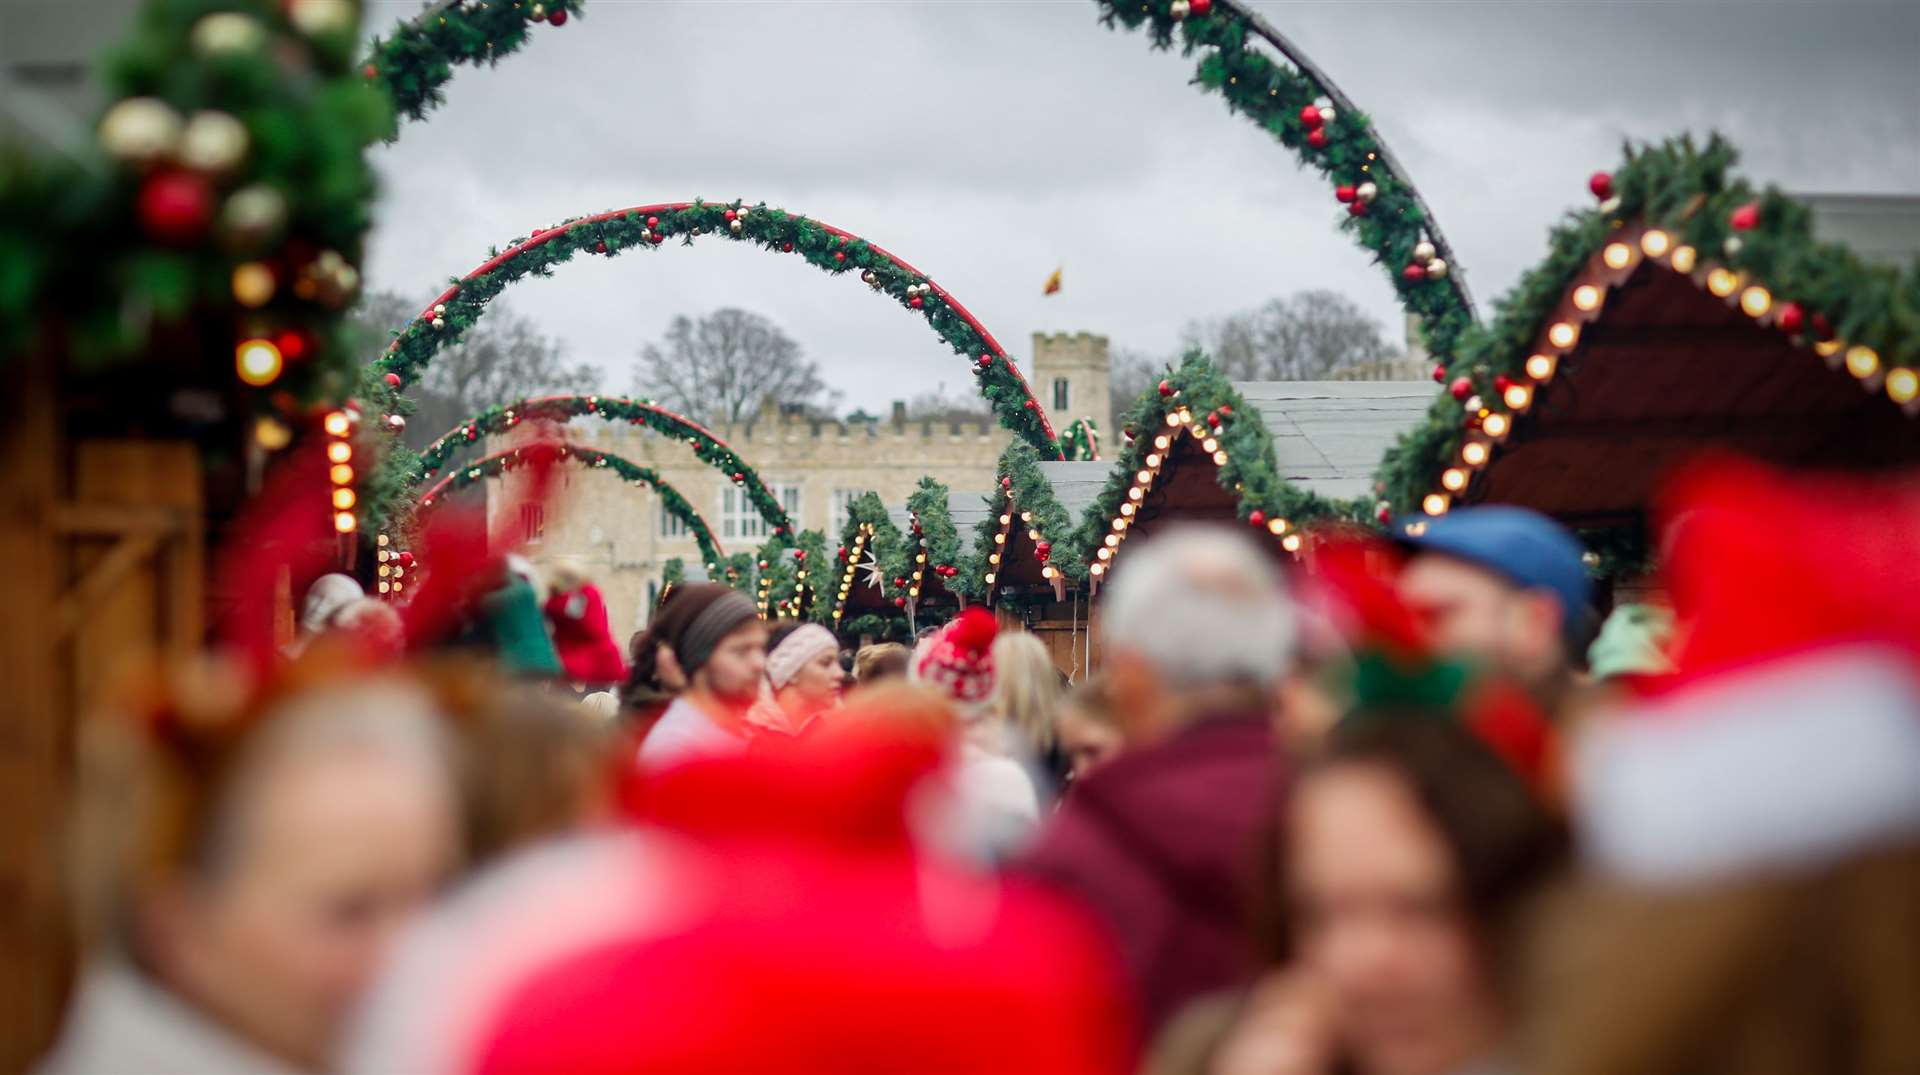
1330	435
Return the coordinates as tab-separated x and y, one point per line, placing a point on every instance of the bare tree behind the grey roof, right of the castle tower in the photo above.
1303	337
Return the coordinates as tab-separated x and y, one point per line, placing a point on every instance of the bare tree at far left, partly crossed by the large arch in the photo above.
500	360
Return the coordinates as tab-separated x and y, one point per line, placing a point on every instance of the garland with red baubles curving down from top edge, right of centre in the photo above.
1282	101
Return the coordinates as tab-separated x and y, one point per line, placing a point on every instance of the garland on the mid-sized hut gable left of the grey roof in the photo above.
1249	471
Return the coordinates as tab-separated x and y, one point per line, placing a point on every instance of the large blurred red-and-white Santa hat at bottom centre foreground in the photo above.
773	915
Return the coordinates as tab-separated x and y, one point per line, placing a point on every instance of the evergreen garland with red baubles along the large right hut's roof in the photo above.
1689	191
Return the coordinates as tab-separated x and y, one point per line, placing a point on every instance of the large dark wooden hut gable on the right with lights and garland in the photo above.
1698	318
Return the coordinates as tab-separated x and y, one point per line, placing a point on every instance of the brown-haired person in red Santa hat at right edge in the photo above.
1752	824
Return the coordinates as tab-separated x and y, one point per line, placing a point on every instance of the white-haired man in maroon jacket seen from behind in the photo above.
1161	844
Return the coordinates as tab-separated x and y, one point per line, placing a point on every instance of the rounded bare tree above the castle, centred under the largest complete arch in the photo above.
721	368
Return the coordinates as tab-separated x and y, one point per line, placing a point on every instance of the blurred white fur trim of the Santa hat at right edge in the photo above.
1787	767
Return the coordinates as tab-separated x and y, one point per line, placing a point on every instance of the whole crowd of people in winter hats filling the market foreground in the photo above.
1403	809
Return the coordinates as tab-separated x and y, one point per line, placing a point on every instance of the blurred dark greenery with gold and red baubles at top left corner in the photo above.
105	256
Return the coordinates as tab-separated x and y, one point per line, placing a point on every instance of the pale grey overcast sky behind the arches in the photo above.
992	141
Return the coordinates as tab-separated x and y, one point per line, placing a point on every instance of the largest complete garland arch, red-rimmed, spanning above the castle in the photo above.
646	227
